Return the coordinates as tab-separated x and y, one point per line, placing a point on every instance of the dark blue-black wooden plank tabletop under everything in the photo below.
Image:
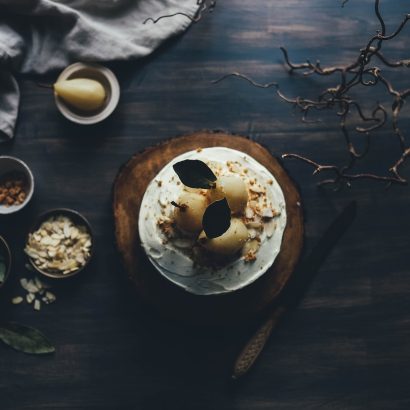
348	344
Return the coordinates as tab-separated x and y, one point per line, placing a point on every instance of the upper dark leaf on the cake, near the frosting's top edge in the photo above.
195	174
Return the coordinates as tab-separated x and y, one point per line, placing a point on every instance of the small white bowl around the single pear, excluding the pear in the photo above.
94	72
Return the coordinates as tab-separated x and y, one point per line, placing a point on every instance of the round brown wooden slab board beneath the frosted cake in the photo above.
129	188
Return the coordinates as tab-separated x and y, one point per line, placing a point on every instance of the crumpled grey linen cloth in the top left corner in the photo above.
37	36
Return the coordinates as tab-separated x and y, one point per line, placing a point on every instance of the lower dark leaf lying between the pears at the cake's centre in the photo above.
217	218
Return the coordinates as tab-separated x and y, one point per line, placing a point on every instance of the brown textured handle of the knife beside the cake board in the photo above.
253	348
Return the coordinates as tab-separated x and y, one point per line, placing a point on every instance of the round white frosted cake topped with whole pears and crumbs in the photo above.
192	253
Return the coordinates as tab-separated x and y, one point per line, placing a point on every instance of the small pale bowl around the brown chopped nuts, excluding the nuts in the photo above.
12	164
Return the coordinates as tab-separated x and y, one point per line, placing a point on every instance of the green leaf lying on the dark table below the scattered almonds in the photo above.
25	339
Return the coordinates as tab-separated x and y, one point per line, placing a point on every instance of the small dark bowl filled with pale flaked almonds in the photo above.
60	243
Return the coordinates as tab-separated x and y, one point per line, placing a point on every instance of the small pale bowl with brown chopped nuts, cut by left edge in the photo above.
16	184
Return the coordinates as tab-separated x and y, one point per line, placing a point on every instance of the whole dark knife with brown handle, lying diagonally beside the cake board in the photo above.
294	291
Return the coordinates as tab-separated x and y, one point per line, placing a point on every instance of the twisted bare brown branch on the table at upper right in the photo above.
358	73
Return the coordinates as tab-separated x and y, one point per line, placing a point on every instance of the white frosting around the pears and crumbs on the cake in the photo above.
173	263
